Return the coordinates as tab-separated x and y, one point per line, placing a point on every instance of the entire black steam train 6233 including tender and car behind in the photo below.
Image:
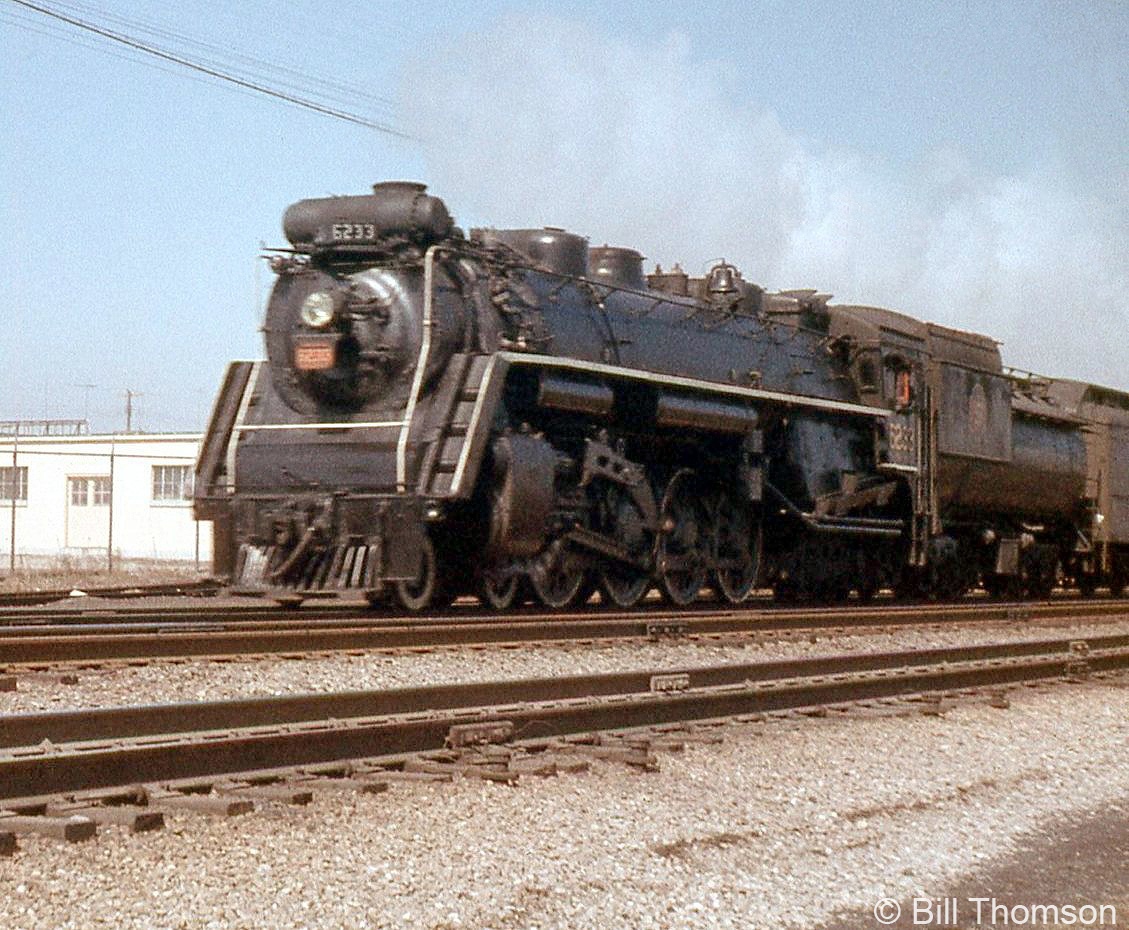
513	411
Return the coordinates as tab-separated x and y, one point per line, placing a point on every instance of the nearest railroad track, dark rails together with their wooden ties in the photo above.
64	774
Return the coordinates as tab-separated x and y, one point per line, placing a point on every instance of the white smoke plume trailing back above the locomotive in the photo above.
541	121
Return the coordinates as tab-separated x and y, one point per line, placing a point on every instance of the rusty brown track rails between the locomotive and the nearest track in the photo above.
38	648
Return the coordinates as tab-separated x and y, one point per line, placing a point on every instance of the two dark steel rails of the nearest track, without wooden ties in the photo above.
121	747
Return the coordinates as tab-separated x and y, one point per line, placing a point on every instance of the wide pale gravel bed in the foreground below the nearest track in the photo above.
785	824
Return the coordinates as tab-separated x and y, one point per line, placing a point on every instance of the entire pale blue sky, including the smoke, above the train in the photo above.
962	162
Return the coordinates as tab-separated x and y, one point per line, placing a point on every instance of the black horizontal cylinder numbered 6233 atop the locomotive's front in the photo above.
396	213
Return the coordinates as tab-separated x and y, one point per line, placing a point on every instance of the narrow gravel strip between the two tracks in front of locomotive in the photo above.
214	681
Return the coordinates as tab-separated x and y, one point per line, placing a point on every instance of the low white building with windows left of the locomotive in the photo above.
128	495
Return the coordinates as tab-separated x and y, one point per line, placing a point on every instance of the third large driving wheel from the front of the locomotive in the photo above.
684	542
